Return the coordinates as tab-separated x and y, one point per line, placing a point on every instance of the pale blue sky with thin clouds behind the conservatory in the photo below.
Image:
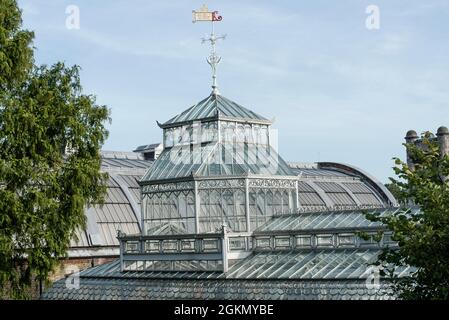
337	90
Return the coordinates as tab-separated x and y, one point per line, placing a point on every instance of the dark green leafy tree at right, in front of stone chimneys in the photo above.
422	234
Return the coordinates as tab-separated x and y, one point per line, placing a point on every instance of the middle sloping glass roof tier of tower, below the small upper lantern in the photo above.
217	159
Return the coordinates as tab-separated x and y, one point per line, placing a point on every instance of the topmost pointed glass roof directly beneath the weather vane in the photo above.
215	107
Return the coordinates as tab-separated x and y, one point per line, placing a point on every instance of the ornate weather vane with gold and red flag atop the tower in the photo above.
203	14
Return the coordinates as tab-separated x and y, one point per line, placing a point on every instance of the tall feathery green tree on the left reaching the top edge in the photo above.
50	139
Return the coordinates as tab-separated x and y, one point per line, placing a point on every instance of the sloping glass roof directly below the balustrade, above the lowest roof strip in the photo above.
306	264
